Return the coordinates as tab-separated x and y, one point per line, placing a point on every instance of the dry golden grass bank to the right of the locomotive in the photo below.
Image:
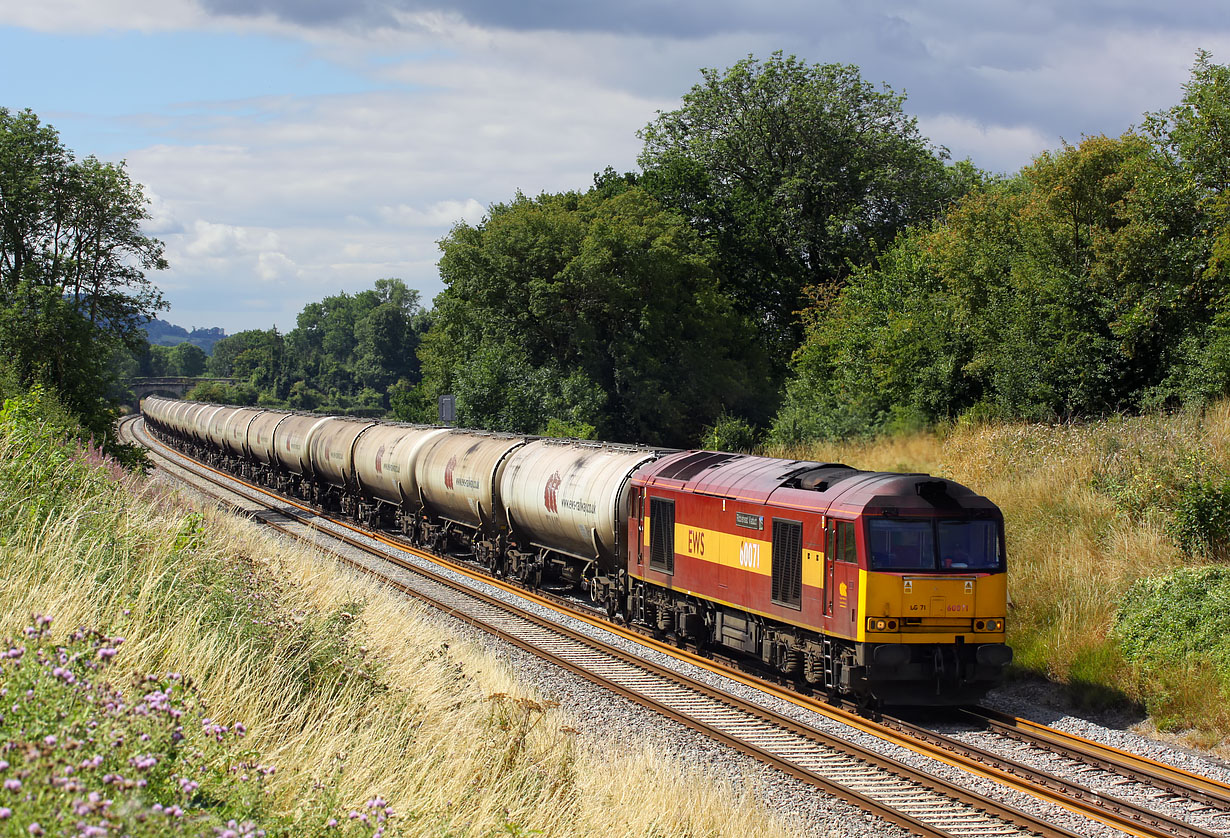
1092	510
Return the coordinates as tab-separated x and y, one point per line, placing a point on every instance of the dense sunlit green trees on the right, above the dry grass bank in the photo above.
1089	284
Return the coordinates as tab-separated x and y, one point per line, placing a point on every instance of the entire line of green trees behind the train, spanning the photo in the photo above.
794	260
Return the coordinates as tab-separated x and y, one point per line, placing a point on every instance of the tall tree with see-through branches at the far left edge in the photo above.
73	263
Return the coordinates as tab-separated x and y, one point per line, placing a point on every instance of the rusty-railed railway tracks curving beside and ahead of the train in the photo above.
917	800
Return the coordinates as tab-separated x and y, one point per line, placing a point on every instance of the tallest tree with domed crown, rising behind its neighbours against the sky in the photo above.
795	173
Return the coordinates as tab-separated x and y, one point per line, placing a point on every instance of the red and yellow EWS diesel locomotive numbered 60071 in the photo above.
889	586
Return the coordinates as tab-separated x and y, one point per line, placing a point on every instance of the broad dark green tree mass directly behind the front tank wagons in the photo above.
596	309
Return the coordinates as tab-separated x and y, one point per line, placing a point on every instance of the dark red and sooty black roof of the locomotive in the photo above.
806	485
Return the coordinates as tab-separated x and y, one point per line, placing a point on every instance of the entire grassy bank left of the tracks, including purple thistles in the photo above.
174	671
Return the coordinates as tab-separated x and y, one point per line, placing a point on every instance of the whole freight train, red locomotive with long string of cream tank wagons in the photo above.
887	589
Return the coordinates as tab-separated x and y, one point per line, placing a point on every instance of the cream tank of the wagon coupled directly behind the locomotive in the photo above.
571	498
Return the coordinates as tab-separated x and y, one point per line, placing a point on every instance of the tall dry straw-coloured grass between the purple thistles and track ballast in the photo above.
347	690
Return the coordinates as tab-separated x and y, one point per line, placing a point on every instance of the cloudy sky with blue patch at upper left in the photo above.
296	150
